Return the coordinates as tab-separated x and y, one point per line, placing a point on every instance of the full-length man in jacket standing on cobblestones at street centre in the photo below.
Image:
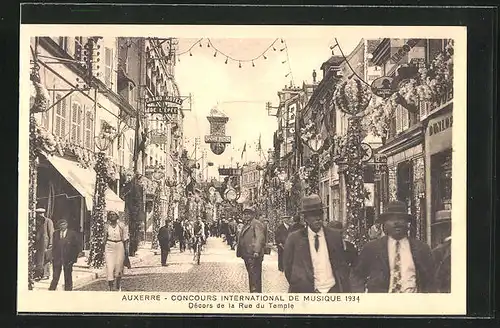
251	244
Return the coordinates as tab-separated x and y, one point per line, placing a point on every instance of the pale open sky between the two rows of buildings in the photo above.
241	93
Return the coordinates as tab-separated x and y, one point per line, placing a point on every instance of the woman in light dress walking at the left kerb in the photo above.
116	246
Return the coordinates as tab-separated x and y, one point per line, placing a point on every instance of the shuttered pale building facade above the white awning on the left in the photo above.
81	106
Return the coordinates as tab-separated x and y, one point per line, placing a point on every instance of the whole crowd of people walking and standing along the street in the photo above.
315	257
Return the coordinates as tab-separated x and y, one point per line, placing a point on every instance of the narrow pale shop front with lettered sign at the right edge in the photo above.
438	157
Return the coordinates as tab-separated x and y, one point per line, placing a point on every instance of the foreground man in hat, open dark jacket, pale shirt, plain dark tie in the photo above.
314	260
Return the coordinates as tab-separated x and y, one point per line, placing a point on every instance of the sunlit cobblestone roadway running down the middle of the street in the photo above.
219	271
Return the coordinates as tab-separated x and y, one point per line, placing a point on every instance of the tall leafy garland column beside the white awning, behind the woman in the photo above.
98	233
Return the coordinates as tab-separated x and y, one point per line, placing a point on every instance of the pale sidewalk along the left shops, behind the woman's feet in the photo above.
83	274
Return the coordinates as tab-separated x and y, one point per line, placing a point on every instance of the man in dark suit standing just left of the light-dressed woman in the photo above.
64	253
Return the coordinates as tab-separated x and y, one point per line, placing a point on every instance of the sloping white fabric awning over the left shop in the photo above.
83	180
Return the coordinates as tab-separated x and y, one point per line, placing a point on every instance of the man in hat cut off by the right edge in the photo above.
442	253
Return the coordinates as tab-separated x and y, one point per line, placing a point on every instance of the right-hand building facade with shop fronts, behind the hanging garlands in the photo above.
418	142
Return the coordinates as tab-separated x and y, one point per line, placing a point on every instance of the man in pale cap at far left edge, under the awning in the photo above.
43	244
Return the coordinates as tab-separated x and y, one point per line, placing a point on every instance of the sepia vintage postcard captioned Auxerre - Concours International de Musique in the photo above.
242	169
